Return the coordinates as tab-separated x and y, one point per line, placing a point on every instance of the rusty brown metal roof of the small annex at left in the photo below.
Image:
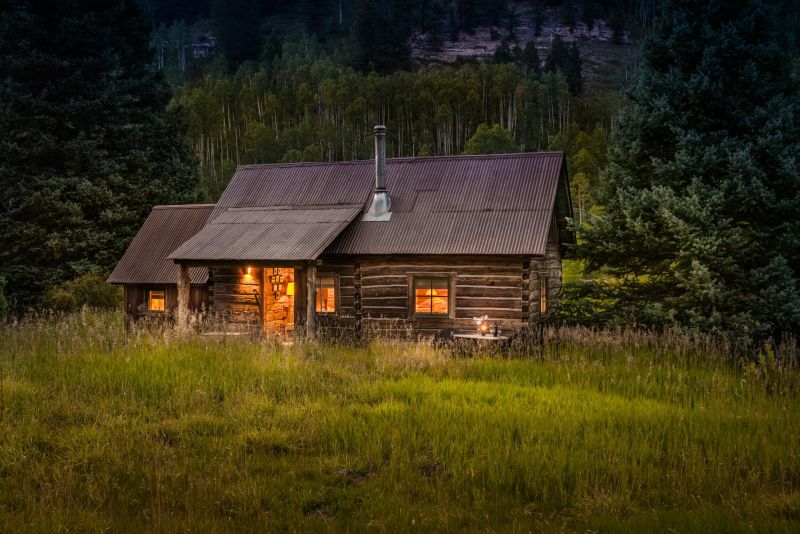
145	261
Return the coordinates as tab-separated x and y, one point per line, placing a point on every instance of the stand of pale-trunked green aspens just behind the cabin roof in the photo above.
307	108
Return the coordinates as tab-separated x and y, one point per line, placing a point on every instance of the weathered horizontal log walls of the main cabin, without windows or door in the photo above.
374	293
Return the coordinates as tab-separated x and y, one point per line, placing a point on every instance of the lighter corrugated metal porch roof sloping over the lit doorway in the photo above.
271	234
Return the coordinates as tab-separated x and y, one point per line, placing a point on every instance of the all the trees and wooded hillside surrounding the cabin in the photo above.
150	102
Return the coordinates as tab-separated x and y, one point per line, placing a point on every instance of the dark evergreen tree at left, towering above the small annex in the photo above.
87	141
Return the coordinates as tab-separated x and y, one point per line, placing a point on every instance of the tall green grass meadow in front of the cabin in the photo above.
610	433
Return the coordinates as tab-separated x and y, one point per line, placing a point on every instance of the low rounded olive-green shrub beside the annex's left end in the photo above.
90	289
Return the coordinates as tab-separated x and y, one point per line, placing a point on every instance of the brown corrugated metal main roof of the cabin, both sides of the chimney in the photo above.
490	204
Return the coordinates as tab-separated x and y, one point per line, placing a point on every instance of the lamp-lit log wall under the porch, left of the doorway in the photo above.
236	298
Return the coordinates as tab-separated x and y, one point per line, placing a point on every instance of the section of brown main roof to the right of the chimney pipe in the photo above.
498	204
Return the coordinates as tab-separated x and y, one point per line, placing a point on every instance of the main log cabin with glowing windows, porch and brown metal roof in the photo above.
421	243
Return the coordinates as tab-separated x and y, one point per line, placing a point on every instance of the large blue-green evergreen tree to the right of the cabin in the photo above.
703	191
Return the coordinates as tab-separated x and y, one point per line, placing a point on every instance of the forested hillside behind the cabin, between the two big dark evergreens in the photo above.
310	94
